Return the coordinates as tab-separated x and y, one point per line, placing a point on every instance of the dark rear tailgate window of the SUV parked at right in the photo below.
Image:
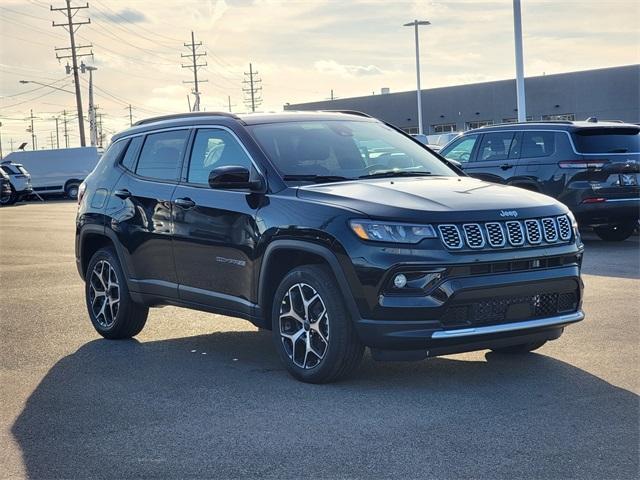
607	140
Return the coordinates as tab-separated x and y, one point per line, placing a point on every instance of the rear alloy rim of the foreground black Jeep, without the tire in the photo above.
104	293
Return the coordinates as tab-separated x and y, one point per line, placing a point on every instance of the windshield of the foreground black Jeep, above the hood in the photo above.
333	150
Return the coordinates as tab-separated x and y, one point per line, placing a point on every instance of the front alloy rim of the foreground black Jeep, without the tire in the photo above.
304	326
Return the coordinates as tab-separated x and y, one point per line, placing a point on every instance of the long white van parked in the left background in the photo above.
59	170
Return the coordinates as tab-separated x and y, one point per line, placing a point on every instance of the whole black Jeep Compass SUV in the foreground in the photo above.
334	230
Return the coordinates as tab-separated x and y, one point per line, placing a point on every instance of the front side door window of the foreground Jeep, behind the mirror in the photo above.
214	148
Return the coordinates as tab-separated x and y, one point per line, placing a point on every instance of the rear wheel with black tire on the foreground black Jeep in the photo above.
129	317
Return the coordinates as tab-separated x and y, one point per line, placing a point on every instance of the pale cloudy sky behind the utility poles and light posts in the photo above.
302	49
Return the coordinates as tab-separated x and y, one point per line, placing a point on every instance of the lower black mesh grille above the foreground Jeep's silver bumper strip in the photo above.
510	309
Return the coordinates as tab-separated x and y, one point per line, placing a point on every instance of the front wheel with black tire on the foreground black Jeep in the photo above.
342	350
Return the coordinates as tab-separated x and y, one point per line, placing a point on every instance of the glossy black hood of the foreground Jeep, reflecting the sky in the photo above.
433	199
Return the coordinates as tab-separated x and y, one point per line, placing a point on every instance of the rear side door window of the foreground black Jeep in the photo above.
162	154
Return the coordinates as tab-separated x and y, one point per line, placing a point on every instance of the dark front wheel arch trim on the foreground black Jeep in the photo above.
281	256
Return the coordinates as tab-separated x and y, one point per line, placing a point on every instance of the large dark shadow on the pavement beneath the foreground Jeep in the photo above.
222	406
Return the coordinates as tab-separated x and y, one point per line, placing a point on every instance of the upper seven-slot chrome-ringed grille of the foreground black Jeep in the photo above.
513	233
